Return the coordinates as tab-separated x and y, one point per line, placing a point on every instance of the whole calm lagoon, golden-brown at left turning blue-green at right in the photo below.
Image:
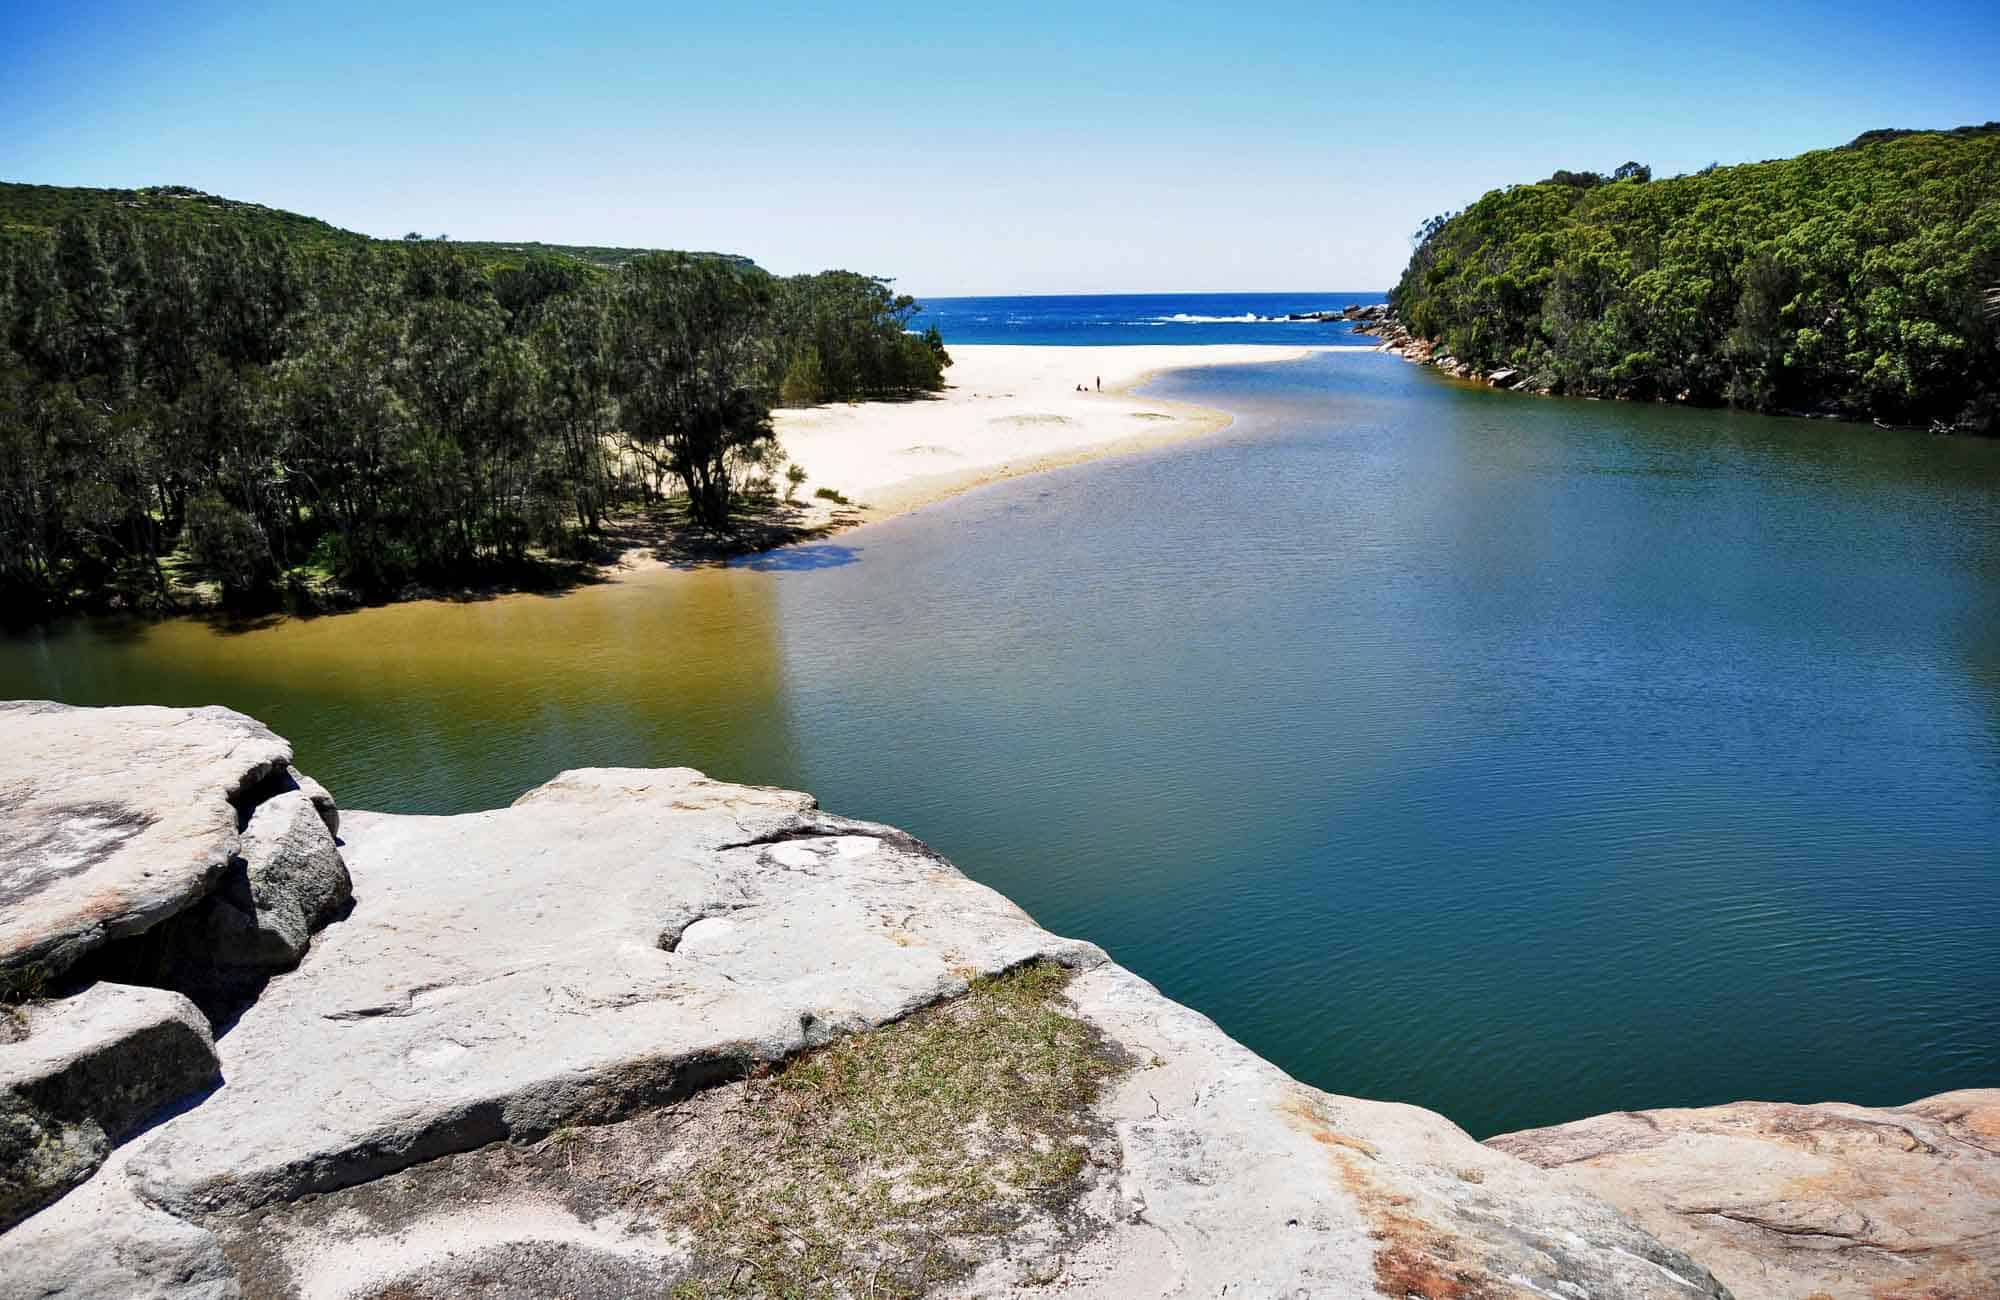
1519	759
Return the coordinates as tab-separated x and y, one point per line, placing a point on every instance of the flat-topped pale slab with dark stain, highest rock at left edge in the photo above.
115	819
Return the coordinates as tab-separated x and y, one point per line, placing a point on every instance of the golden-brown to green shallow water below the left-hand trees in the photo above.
445	707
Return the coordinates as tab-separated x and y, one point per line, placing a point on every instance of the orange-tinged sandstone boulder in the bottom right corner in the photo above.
1785	1203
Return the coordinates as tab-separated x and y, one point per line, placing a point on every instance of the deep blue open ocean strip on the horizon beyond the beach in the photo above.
1143	319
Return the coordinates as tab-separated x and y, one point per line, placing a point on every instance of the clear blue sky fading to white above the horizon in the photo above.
999	149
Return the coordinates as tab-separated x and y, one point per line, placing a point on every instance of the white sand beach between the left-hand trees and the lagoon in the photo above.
1007	411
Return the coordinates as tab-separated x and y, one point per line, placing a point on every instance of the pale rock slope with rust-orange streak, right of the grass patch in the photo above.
1239	1181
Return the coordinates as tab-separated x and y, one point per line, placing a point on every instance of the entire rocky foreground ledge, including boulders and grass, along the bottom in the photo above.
647	1033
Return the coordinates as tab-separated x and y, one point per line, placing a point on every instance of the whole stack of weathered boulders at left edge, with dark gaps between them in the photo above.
147	857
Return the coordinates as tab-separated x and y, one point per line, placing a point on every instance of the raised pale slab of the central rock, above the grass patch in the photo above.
613	941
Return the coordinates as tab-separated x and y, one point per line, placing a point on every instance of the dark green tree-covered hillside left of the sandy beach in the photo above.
281	401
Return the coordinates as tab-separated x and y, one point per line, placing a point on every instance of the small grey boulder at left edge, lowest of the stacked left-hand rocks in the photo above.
79	1075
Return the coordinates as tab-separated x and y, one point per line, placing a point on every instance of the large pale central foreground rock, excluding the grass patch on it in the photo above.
623	943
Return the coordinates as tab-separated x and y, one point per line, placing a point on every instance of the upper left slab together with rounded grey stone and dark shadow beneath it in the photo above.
169	835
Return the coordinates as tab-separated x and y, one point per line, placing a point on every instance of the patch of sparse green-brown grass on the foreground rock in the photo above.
877	1165
